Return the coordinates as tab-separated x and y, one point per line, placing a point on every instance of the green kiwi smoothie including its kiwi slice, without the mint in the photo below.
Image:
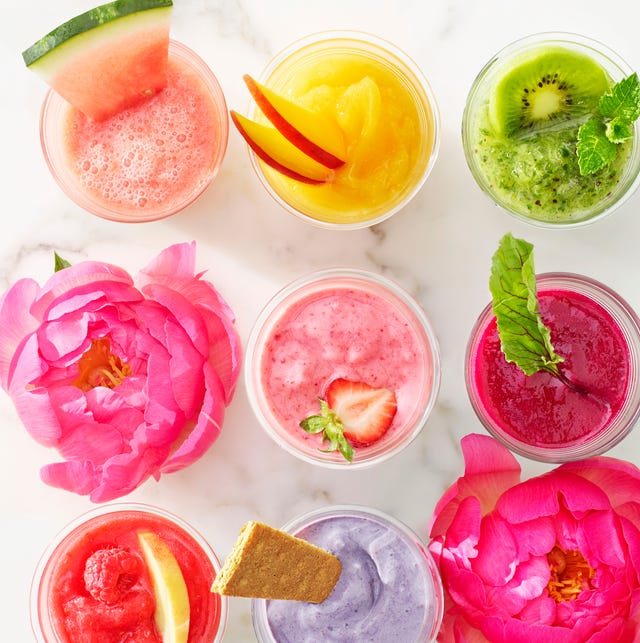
521	130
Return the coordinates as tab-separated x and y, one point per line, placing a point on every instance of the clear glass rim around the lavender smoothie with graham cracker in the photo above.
408	535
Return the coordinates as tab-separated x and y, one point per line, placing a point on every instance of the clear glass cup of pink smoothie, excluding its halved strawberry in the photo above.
340	323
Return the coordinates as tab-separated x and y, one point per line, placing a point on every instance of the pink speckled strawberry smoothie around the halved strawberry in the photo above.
343	328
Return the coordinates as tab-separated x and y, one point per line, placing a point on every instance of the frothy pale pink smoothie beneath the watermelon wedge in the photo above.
152	159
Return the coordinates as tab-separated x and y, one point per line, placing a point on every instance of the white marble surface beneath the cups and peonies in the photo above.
439	248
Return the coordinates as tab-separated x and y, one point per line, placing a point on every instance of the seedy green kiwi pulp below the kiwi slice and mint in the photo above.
536	175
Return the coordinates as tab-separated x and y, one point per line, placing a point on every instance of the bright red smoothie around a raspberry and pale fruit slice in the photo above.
69	610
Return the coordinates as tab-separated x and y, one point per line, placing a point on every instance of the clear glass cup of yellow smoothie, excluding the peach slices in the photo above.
387	161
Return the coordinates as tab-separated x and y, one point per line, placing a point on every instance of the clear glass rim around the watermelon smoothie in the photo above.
53	108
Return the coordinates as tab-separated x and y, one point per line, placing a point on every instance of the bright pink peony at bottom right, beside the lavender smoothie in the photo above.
553	559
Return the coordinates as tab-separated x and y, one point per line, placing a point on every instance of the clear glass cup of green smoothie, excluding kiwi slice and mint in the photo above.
535	176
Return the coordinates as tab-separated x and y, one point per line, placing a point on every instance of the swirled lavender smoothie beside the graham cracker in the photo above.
381	596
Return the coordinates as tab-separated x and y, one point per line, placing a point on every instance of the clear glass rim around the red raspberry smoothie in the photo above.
102	510
